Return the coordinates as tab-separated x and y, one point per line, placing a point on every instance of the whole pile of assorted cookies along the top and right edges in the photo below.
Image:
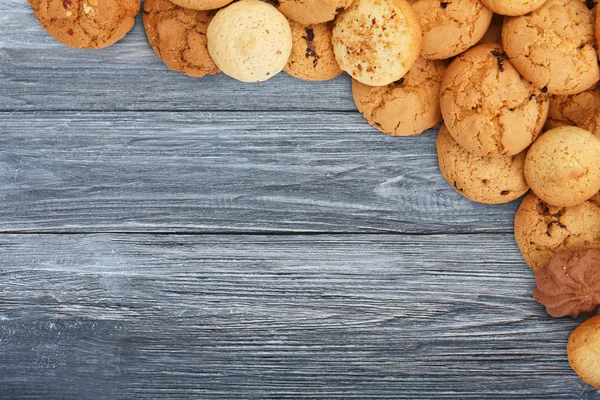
514	82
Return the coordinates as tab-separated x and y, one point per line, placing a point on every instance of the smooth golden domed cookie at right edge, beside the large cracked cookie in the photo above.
563	166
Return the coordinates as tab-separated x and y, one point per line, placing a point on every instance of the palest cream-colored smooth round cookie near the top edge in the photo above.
250	41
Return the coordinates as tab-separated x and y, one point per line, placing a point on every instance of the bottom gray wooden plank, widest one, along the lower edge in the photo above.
299	316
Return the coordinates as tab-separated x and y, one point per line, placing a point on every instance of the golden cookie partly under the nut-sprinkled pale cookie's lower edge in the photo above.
416	95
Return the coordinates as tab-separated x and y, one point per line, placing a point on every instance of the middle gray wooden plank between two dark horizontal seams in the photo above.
225	172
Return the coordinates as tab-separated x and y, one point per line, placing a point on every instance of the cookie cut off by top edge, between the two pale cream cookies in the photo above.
311	12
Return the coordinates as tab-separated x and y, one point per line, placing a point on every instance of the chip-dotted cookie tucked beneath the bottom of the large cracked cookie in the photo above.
489	180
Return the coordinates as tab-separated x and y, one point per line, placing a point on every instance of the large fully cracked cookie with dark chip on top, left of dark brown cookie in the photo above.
487	106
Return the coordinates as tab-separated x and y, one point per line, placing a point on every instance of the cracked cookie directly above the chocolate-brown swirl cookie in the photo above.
541	230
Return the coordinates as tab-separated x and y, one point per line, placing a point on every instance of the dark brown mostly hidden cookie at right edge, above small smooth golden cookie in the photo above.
573	110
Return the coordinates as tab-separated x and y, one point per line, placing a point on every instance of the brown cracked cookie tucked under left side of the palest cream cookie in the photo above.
178	37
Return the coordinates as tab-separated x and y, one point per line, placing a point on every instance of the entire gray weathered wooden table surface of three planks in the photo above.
169	237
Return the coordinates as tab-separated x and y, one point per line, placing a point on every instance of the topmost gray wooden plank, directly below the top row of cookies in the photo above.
38	73
